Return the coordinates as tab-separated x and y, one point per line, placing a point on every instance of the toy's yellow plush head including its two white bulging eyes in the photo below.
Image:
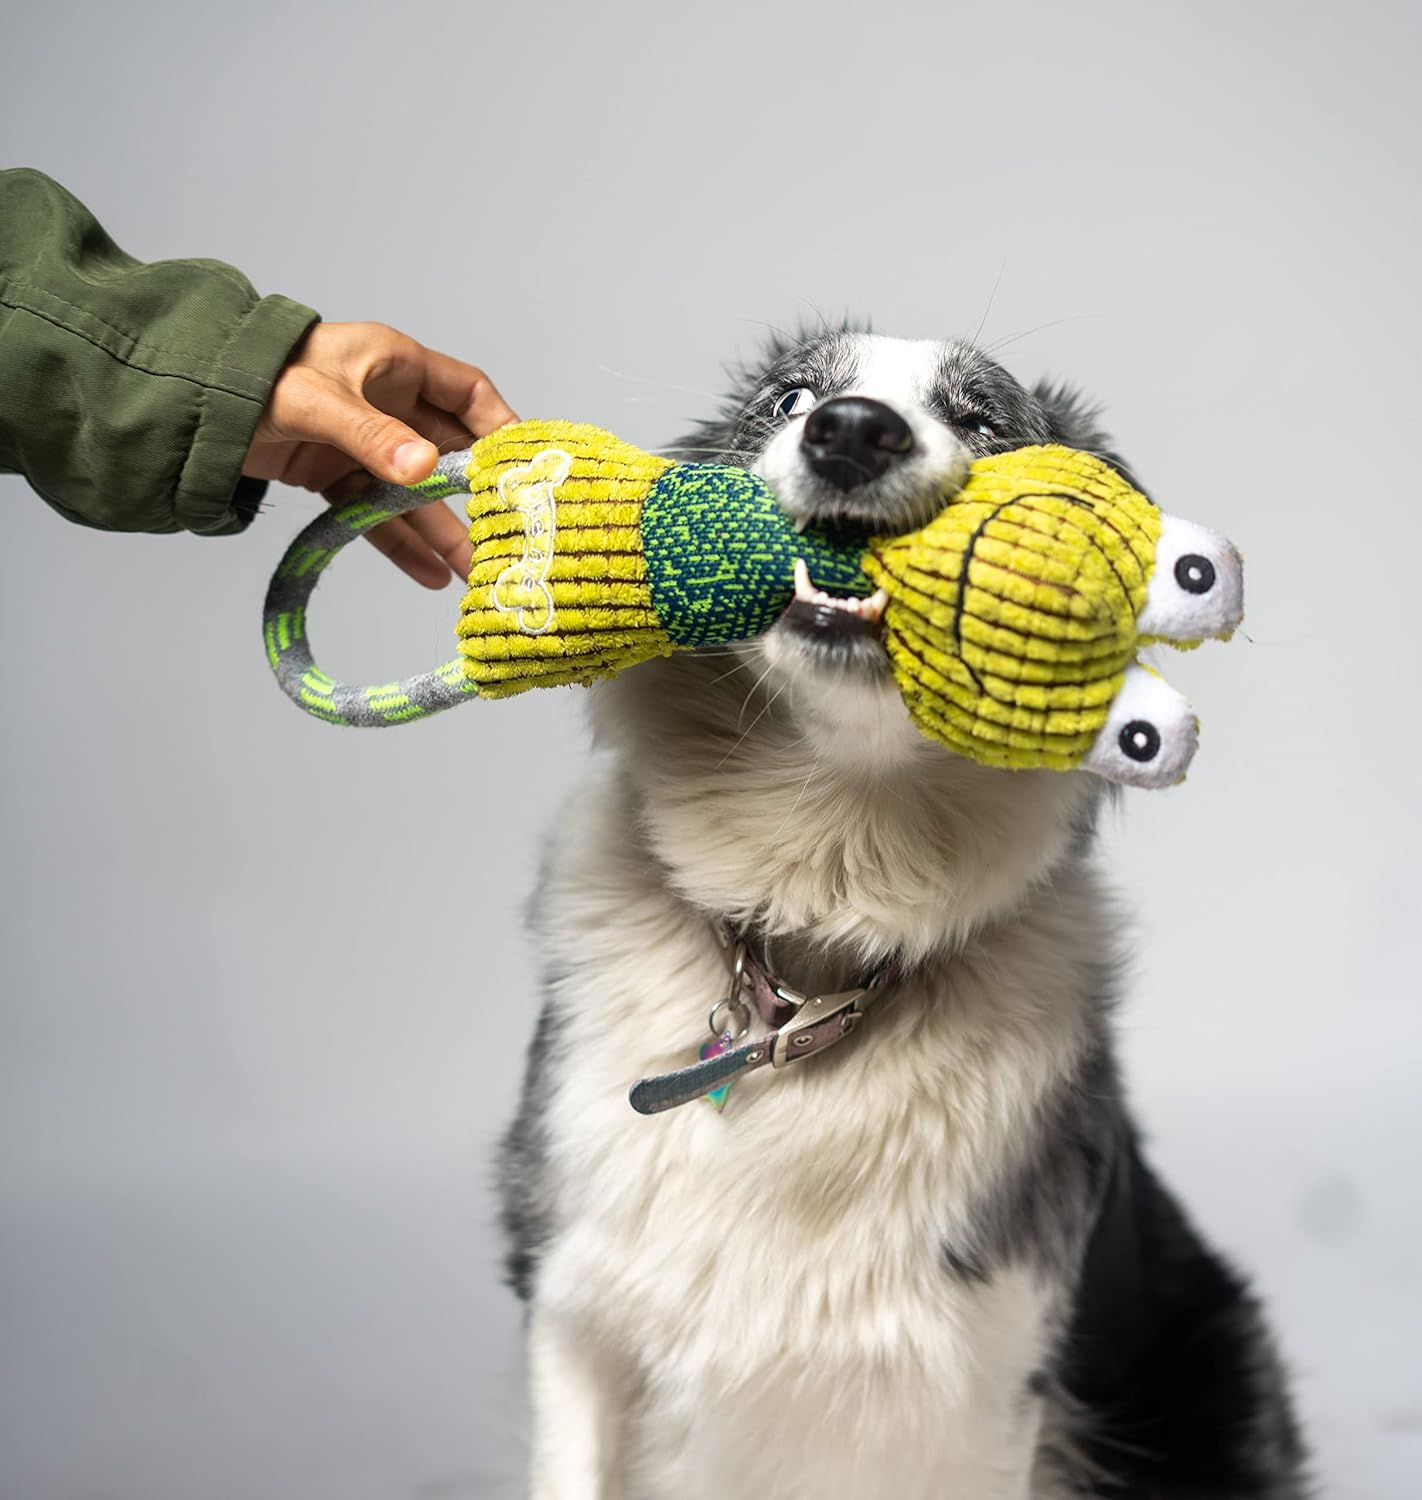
1016	614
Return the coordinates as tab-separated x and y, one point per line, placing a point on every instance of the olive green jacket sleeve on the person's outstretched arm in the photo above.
128	392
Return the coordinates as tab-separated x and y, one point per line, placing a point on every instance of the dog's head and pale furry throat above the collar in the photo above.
785	782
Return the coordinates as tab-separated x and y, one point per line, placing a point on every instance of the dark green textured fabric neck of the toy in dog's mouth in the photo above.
721	556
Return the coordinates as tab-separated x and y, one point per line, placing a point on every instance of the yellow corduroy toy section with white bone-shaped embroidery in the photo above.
569	613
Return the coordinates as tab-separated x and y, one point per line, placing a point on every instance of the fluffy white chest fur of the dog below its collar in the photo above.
757	1303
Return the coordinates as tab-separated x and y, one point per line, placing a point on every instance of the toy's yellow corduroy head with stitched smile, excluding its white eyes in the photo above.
1012	616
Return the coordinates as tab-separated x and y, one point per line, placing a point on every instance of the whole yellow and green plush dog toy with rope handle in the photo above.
1012	620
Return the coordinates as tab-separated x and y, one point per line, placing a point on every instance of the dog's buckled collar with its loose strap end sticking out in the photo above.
802	1027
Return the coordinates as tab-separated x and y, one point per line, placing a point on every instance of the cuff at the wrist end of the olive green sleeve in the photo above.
211	499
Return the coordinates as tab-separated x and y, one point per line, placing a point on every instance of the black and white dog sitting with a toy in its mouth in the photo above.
931	1262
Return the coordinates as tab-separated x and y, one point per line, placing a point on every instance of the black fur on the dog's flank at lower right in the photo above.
1168	1376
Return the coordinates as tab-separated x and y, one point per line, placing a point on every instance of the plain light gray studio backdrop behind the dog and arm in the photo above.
265	985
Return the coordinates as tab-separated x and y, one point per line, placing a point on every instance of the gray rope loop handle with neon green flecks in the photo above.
289	595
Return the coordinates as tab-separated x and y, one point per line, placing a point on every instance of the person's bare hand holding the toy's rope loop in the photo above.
359	400
